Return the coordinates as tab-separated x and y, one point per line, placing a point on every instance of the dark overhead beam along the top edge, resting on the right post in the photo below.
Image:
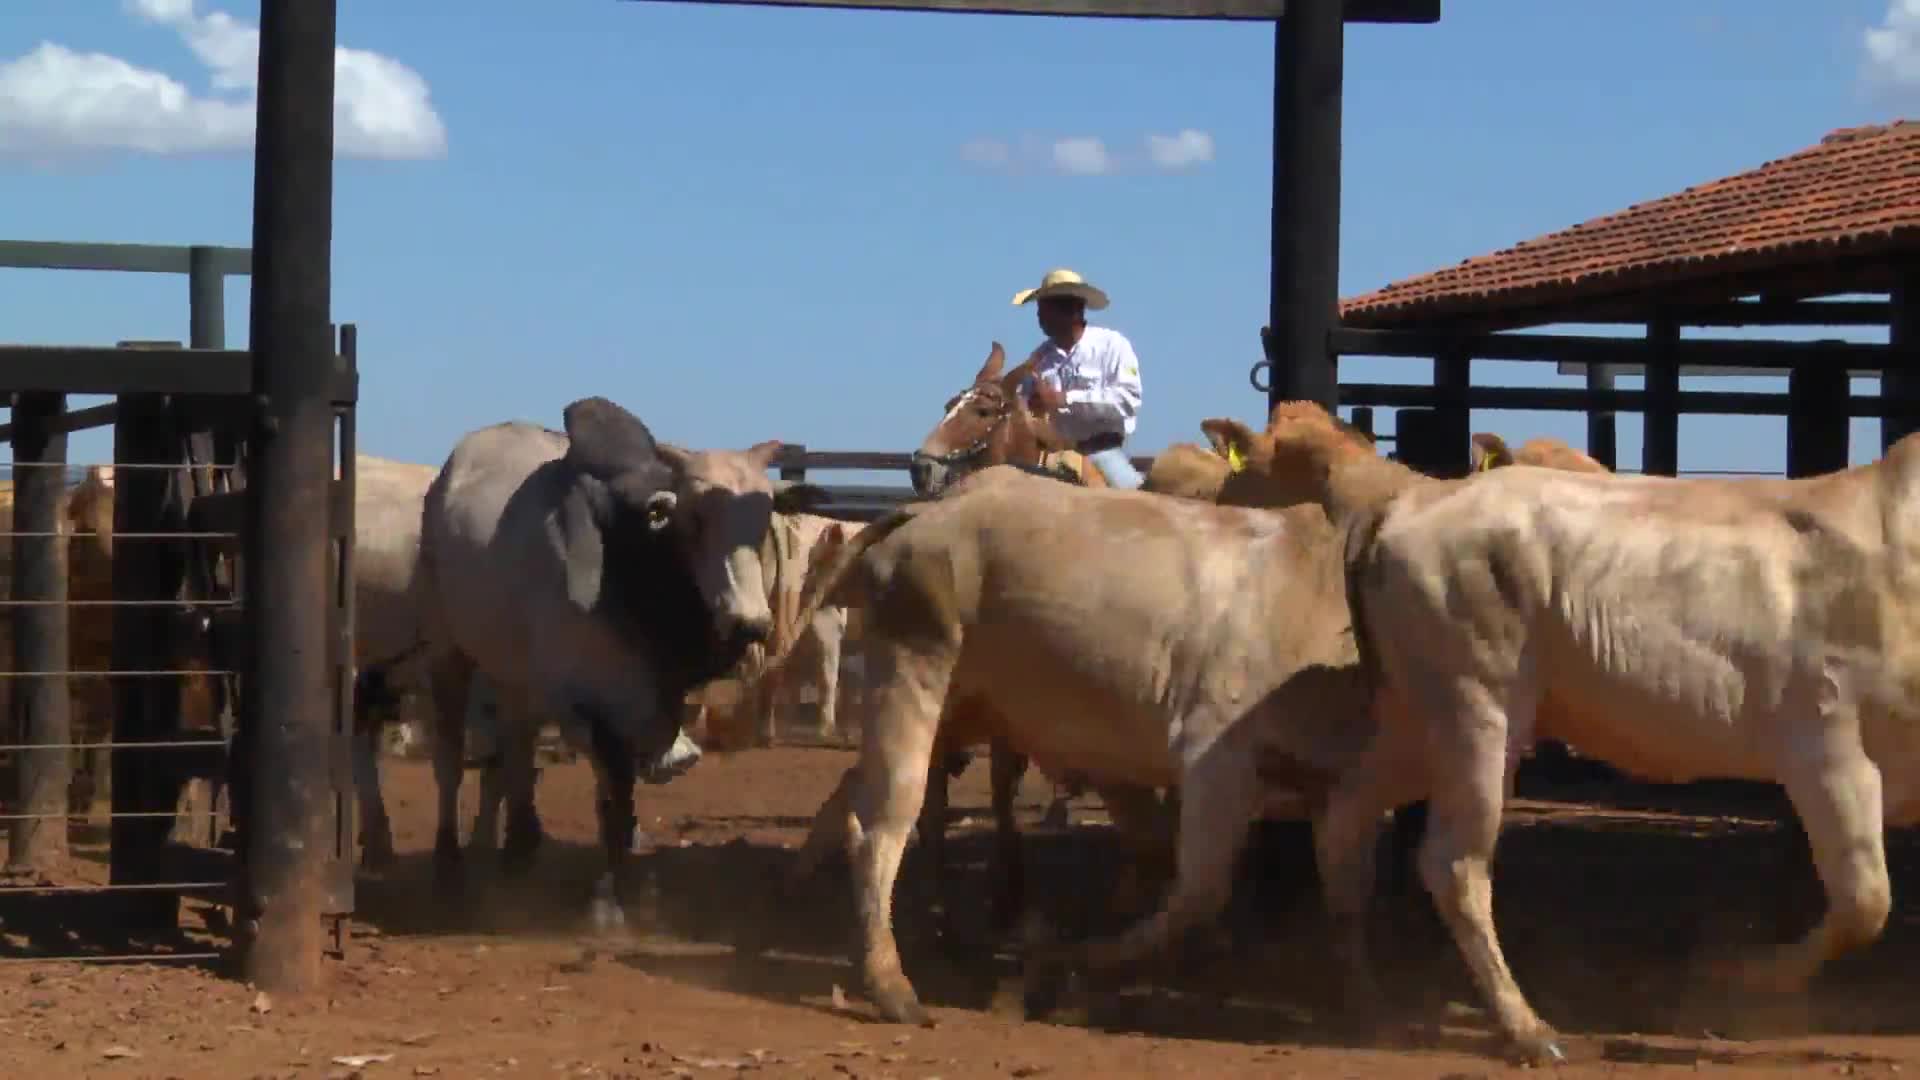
1226	11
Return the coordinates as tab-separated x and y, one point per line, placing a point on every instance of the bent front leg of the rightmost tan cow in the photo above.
1836	793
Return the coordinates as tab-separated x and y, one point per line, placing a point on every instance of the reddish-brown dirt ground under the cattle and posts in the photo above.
1602	914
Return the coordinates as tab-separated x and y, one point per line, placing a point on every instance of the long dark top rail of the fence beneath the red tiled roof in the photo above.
1550	349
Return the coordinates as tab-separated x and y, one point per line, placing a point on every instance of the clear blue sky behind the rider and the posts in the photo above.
780	224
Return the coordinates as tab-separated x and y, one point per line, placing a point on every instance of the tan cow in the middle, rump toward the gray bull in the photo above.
1188	645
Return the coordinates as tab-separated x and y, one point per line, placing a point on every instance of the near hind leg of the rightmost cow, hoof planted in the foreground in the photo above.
1472	770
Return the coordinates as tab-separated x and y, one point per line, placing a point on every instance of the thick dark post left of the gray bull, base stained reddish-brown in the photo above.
287	700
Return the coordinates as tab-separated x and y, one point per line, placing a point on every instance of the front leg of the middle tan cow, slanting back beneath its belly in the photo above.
1222	800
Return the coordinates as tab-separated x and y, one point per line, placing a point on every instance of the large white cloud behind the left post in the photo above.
60	103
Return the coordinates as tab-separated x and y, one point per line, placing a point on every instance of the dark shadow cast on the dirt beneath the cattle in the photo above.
1604	920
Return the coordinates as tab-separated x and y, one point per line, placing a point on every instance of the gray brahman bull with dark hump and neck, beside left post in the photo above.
594	577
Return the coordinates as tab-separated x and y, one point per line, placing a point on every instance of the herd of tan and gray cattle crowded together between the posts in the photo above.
1282	626
